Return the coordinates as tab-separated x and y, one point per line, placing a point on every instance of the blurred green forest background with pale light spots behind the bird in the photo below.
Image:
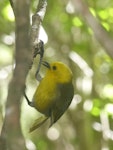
88	123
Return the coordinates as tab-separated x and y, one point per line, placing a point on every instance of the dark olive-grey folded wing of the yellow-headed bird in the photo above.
62	102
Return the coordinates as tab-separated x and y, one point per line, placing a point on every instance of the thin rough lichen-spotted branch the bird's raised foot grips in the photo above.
37	45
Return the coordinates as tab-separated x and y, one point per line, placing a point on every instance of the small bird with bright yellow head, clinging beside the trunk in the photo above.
54	93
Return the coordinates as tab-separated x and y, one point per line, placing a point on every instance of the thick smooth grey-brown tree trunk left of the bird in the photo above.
11	136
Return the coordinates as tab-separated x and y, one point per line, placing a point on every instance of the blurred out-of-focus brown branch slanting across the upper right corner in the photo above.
100	33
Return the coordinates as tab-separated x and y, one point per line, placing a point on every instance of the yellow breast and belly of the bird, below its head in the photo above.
45	96
